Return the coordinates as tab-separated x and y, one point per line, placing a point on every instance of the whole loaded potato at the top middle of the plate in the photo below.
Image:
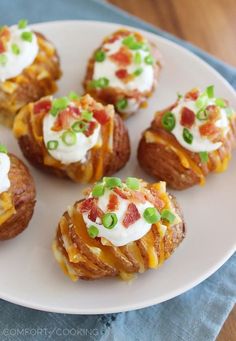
123	71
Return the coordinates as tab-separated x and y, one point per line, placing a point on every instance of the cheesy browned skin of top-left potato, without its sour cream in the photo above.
28	86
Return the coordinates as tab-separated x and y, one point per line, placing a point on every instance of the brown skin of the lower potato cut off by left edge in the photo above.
23	195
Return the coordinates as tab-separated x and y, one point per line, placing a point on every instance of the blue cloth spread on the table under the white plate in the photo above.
196	315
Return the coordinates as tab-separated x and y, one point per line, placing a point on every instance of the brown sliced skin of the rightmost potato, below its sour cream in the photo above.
163	163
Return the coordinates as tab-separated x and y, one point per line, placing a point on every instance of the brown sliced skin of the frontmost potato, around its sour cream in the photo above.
90	266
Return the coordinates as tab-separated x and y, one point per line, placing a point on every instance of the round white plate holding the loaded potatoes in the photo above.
29	274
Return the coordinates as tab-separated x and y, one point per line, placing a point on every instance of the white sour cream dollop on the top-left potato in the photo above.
17	63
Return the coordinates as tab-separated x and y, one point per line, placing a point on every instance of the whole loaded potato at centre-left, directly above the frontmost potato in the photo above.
73	137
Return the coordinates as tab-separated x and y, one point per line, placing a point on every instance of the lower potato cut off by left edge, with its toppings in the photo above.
17	195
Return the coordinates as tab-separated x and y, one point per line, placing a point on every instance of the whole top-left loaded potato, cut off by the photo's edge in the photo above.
29	68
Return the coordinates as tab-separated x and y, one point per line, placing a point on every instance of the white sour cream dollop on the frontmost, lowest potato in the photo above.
120	235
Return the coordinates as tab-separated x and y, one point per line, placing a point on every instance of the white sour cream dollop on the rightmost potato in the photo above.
200	143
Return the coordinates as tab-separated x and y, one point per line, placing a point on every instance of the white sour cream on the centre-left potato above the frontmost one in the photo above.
64	153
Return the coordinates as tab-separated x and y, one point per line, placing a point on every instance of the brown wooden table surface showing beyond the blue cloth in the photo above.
209	24
